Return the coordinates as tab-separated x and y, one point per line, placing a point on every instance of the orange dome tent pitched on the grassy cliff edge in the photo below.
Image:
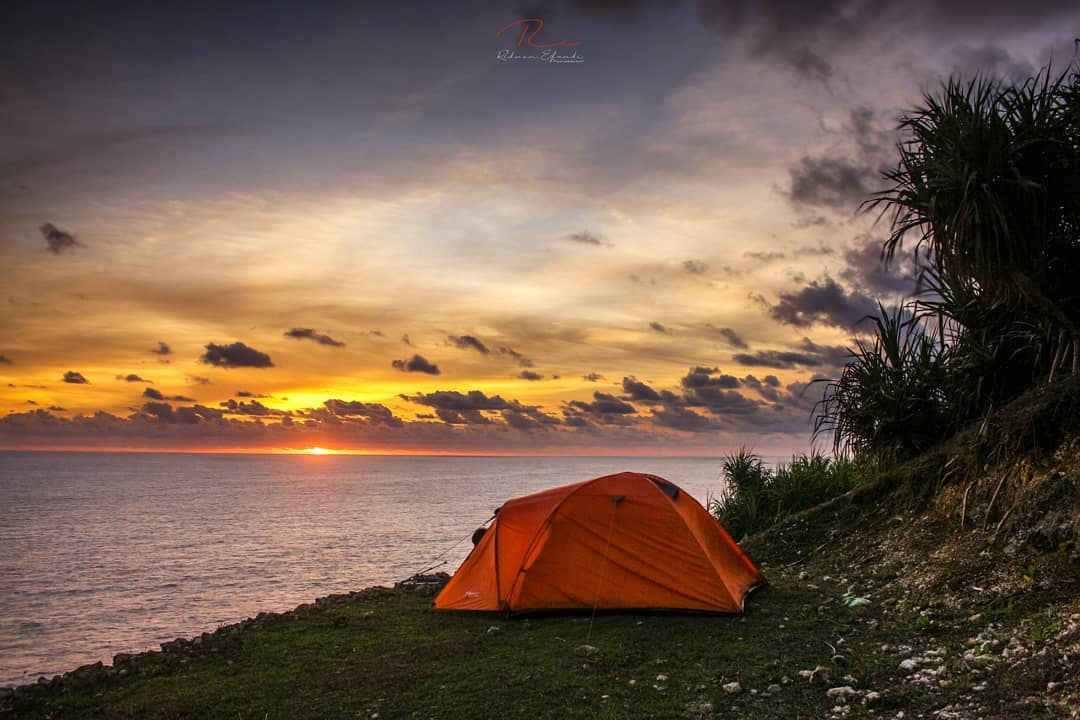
626	541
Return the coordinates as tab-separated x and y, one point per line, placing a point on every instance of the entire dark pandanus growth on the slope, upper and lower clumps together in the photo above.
987	193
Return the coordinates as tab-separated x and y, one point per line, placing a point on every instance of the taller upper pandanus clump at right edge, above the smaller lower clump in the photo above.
989	184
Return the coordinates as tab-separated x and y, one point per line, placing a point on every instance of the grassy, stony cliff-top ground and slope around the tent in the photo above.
947	589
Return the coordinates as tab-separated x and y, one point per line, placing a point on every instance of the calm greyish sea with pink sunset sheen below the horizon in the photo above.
107	553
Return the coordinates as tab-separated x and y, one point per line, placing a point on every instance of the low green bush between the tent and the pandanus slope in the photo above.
757	497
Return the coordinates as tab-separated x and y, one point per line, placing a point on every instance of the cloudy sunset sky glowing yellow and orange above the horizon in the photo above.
565	227
